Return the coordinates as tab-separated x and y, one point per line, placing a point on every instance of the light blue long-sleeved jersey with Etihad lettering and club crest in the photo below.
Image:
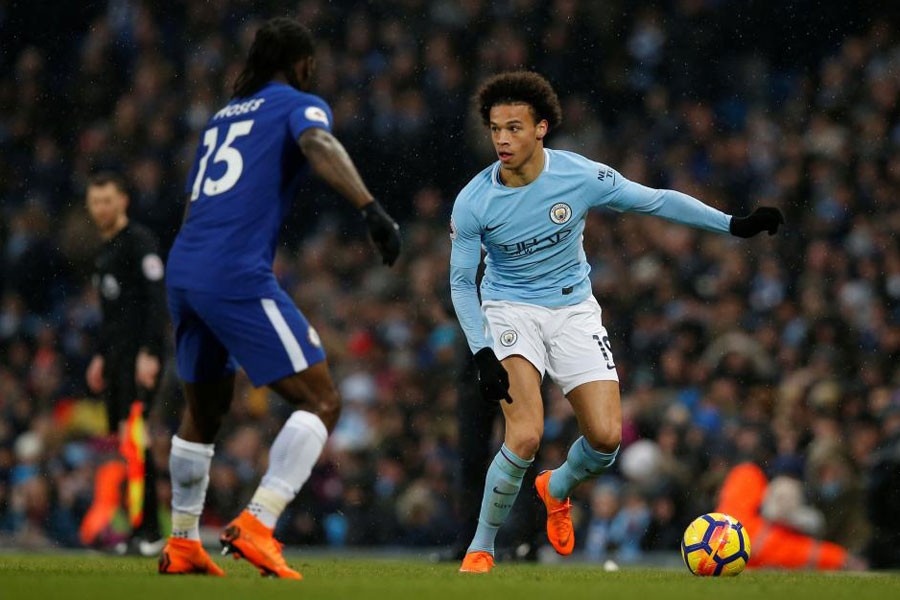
532	234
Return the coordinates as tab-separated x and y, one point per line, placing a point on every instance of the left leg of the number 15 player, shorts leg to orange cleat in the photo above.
208	373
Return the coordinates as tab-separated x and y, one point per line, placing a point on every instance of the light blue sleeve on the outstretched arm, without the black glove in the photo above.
611	189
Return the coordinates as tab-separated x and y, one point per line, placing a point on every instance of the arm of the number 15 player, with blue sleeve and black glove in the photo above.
328	158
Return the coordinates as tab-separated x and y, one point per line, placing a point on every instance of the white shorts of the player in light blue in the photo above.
570	343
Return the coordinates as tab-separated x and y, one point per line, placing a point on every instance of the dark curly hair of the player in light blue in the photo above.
516	87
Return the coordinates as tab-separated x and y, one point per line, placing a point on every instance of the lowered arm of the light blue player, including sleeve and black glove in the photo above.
465	254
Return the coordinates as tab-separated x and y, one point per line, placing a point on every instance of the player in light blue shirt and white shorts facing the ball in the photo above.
537	313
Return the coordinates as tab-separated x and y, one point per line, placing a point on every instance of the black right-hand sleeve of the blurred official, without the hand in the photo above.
153	294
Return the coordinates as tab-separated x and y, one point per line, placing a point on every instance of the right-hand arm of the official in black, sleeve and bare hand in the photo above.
153	310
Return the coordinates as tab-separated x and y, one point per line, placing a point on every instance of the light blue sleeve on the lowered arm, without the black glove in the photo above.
465	255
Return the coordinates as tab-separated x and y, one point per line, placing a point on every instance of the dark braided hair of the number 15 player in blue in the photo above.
278	45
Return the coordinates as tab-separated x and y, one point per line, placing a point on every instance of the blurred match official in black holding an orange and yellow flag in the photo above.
128	275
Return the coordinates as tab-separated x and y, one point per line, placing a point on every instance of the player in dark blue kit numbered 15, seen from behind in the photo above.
227	307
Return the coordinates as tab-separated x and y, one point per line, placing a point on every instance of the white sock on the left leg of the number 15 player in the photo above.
189	470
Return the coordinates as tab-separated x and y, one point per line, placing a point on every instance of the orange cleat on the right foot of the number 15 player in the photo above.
246	537
